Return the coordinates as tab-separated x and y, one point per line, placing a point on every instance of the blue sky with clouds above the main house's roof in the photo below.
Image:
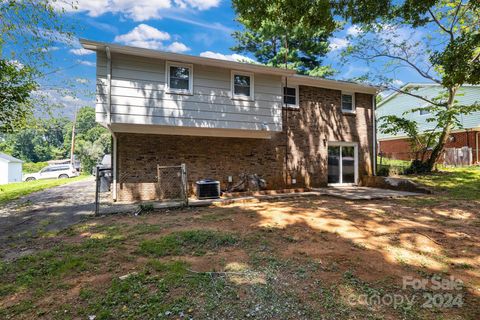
196	27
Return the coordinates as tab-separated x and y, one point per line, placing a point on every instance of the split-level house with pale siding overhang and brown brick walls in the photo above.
222	118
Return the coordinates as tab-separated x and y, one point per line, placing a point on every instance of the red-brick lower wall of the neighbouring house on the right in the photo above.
400	148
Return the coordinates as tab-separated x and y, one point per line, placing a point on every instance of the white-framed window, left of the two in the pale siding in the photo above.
179	78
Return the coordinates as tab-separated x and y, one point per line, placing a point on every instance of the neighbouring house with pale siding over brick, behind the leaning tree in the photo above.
398	147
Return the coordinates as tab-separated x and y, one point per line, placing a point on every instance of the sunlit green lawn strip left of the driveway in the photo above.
14	191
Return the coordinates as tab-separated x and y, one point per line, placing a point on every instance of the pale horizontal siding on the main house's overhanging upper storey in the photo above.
139	95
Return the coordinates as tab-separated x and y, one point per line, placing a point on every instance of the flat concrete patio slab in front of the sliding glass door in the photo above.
364	193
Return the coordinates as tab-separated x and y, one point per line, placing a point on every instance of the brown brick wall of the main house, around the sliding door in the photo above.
318	121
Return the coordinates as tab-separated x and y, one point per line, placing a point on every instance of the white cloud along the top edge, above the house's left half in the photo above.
139	10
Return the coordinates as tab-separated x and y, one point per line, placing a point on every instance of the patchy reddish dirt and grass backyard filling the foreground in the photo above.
295	259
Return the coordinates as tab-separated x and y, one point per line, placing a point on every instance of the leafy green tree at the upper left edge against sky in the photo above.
28	29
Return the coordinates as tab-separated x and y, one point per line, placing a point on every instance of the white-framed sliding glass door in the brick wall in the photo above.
342	163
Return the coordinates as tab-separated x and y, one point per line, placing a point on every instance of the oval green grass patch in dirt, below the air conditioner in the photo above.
182	242
